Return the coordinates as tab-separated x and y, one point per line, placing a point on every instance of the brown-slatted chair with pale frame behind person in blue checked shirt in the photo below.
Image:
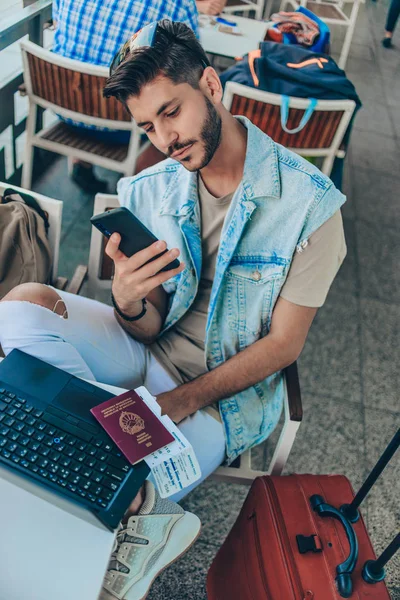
73	90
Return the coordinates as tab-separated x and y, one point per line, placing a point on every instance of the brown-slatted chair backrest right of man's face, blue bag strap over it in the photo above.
320	137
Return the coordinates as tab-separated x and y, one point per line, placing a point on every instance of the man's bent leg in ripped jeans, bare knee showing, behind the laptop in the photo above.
89	343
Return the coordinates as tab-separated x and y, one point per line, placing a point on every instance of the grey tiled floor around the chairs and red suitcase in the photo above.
349	368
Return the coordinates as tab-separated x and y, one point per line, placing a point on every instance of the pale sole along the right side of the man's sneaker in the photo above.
182	537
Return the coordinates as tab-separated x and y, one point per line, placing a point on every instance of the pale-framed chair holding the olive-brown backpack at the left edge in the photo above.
54	209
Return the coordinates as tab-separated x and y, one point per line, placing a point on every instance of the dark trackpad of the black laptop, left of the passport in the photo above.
78	397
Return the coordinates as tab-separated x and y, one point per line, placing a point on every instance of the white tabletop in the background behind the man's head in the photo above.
227	44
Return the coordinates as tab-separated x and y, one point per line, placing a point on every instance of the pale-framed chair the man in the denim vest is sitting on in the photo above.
99	278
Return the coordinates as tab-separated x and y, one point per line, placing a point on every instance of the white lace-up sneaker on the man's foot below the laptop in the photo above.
150	541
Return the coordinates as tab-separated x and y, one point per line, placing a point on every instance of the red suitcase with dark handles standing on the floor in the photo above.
290	543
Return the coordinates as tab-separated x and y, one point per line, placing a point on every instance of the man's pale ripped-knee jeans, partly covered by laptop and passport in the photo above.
91	344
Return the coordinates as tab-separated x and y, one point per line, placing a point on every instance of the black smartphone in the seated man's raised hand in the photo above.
134	235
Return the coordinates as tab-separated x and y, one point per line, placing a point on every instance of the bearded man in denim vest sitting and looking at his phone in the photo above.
259	235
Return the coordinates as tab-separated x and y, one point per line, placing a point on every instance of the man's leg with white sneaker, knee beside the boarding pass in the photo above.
157	532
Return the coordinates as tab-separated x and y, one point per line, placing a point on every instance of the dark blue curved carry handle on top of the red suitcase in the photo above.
345	569
